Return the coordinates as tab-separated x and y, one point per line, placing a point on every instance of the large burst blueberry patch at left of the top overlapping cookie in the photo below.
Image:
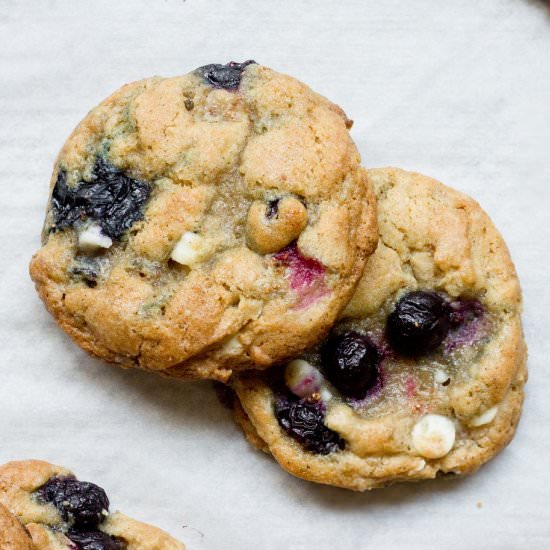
110	198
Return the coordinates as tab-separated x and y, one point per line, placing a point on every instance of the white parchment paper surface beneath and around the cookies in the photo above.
459	90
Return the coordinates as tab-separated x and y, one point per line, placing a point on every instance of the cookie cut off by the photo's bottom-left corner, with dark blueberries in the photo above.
59	512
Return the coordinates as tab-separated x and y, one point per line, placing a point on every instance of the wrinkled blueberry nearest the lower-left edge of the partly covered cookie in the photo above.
304	421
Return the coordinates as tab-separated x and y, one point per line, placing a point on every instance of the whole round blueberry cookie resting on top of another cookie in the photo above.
199	224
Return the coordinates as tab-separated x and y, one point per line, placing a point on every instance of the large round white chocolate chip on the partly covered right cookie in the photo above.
433	435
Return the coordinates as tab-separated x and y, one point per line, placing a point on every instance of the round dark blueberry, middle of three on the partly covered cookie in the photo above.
350	362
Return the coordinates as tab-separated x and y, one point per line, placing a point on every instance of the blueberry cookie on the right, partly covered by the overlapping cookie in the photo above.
423	374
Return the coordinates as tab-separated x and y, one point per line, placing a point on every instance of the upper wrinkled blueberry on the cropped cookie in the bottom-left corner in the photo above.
80	503
